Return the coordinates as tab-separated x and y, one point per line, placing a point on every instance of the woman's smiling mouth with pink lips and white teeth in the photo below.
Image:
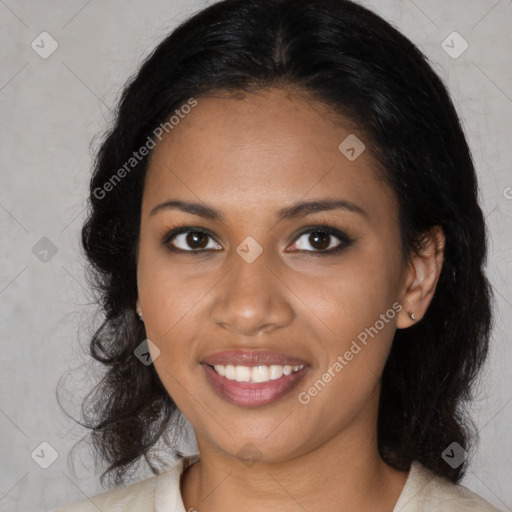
253	379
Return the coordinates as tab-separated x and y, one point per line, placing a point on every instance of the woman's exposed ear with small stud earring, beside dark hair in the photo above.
421	278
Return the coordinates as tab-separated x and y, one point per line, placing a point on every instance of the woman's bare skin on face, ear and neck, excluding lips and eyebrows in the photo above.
248	156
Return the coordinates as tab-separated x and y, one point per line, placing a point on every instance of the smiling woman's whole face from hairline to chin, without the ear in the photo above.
240	296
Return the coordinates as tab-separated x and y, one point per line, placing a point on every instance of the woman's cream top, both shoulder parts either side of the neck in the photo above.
423	492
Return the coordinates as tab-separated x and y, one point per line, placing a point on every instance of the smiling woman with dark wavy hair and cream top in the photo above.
286	209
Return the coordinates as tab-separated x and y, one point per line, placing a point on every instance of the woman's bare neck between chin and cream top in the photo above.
347	471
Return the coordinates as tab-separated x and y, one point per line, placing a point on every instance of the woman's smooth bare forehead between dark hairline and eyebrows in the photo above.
276	146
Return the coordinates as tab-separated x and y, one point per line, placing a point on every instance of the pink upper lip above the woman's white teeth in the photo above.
251	358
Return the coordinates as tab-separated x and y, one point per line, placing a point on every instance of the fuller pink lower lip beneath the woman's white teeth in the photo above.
248	394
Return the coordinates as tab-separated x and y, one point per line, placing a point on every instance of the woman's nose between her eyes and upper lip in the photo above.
252	298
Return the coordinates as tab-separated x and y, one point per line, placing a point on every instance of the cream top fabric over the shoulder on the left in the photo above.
143	495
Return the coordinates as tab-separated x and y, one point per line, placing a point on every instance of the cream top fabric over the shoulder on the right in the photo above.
425	491
